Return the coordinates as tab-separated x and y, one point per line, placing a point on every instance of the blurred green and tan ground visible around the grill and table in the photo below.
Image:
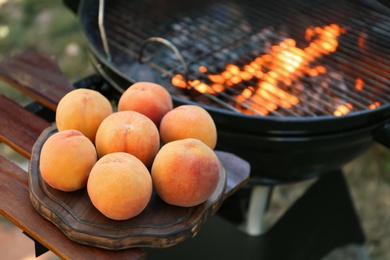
47	25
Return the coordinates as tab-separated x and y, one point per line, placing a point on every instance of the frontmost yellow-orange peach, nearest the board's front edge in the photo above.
119	186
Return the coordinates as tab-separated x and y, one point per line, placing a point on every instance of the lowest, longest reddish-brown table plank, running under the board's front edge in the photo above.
14	189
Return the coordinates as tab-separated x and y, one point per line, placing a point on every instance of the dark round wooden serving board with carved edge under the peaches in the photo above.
159	225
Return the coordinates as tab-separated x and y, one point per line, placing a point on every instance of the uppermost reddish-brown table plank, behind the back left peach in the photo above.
37	75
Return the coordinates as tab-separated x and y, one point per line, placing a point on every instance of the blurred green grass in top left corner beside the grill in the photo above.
49	26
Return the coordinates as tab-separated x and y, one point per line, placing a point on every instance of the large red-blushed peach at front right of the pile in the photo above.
185	172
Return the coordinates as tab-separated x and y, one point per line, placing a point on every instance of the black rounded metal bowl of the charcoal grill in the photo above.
279	149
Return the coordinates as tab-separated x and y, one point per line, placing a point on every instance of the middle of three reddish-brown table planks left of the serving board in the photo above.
19	128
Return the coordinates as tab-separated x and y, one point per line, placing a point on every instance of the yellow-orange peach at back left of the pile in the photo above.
83	110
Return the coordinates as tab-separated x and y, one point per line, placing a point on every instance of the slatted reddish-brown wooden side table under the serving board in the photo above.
38	76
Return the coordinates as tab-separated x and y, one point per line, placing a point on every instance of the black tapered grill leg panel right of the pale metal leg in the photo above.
323	219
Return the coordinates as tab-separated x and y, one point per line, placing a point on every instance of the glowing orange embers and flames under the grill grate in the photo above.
268	77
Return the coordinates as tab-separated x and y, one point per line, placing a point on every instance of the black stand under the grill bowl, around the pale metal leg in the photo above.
321	220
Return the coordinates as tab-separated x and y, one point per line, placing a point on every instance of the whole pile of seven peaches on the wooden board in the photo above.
121	153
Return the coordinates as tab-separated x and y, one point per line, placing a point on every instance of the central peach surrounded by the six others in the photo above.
130	132
